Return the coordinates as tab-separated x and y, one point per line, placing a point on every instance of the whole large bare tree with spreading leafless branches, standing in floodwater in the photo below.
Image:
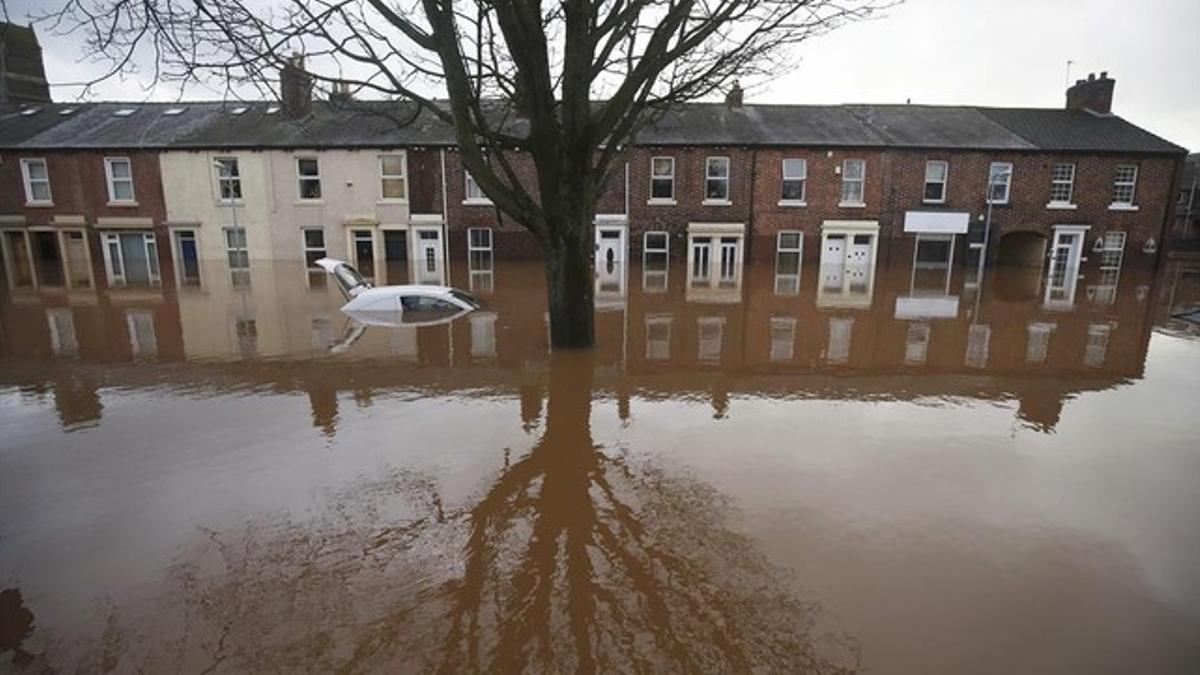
569	83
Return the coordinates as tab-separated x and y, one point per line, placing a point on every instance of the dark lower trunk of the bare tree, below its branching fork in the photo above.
569	283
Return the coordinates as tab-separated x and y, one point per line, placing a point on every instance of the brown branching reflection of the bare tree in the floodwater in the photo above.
574	560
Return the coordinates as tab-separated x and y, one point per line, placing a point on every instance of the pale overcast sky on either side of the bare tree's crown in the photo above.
987	53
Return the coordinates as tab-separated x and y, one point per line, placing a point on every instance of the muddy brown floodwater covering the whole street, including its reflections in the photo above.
891	473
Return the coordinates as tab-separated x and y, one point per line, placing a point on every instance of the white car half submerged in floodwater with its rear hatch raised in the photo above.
397	306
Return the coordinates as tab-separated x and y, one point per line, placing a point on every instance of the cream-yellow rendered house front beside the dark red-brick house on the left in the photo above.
190	192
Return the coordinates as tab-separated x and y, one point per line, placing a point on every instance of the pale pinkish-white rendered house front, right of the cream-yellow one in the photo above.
350	193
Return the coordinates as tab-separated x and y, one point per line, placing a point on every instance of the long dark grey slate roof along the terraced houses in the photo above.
380	124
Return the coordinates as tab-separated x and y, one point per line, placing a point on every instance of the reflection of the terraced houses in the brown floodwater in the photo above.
277	330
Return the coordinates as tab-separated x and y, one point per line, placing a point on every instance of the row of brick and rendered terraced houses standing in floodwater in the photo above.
143	194
